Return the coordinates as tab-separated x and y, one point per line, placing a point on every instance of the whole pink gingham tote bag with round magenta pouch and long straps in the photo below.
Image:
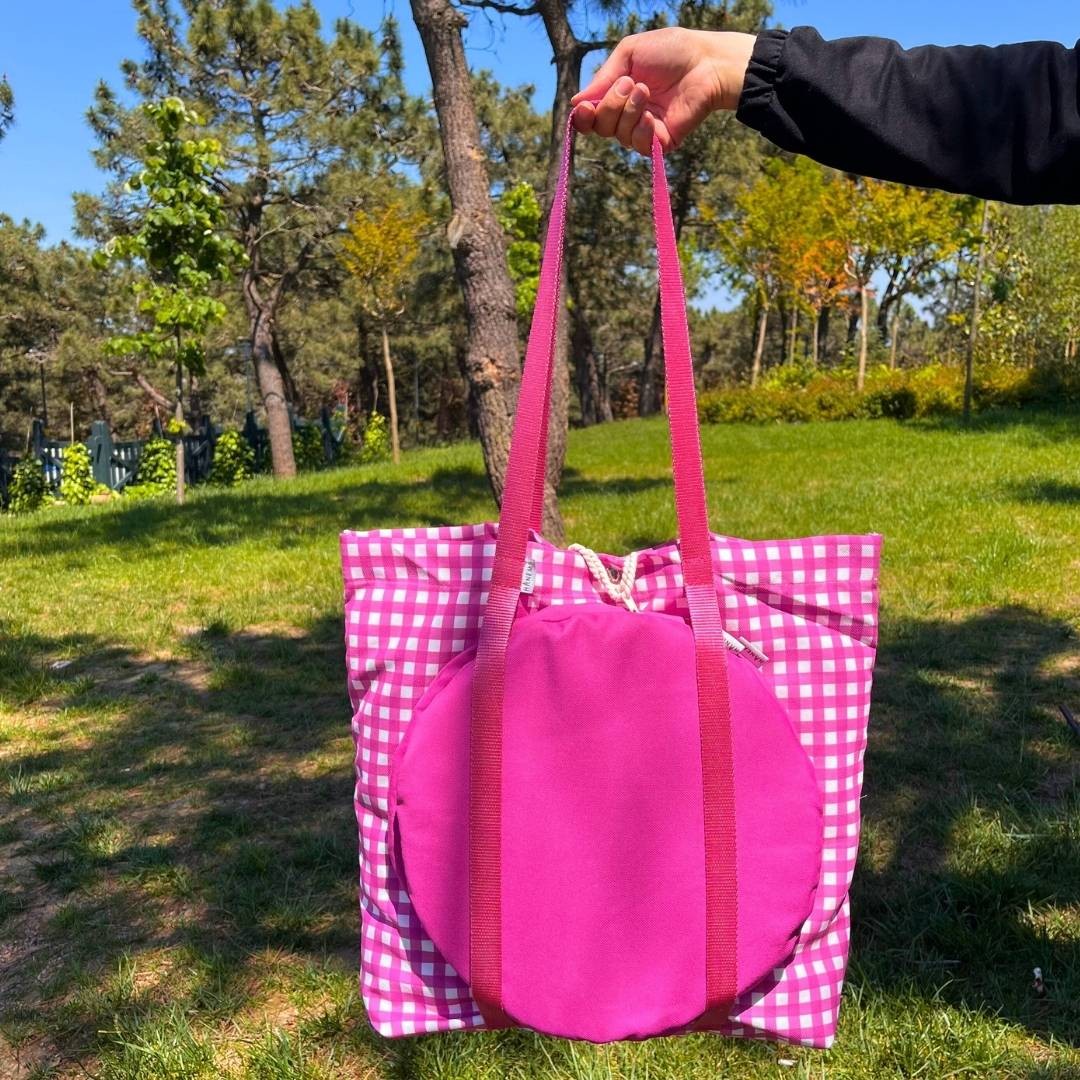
607	798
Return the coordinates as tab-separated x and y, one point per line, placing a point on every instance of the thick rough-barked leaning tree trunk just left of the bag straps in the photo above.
493	363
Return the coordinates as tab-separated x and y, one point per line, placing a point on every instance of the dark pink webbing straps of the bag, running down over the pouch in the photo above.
522	502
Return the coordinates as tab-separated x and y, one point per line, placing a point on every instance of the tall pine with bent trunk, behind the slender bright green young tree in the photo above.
302	120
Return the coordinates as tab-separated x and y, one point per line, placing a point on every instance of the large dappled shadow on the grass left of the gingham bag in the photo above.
198	807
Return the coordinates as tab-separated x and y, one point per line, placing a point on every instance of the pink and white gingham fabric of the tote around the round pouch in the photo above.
414	600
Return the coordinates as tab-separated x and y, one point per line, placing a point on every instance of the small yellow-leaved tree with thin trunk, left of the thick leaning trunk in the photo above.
380	252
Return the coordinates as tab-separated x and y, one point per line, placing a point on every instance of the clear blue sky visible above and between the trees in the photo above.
56	51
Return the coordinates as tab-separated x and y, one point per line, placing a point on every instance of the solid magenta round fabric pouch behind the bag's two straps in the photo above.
603	825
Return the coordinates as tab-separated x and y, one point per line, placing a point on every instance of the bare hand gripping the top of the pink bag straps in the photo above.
664	82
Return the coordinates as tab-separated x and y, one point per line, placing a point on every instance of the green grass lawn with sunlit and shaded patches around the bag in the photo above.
178	847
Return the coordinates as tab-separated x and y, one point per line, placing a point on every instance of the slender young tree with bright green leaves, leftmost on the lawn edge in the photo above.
181	249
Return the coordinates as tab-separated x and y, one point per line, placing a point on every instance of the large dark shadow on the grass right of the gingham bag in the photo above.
970	872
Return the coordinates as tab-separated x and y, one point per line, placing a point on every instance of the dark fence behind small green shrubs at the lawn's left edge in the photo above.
116	464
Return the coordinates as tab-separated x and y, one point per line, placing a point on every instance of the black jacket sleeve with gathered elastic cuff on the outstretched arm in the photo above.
1002	124
